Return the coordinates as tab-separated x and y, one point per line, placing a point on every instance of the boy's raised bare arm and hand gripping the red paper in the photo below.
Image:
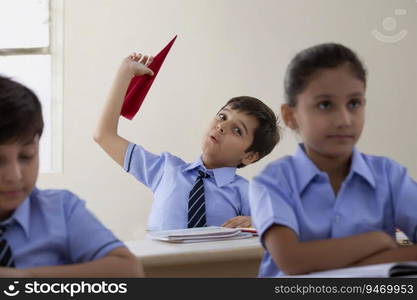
106	133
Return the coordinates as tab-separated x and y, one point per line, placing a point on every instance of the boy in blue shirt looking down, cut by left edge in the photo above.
46	233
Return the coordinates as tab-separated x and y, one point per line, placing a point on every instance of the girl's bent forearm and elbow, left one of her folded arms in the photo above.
295	257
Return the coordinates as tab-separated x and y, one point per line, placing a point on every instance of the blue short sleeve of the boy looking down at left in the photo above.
88	239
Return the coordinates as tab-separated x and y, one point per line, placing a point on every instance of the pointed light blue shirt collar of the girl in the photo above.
307	170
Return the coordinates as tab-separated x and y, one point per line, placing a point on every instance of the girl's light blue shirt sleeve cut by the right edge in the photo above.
404	193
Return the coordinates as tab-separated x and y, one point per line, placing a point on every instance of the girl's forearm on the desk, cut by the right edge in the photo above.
393	255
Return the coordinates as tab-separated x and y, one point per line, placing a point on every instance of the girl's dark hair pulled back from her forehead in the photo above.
316	58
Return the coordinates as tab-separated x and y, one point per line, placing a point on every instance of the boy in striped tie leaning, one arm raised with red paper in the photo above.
206	192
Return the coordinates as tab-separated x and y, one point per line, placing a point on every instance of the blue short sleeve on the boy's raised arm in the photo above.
145	166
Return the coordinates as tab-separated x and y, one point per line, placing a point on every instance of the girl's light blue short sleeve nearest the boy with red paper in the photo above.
270	204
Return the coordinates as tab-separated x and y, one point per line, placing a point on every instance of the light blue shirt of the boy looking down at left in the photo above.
53	227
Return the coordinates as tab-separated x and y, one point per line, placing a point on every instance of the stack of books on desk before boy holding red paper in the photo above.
201	234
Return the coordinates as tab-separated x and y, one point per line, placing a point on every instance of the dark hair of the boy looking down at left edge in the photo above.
20	112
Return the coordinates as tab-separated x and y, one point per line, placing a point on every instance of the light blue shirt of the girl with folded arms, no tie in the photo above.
377	195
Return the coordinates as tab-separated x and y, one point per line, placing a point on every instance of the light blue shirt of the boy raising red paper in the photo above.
171	180
